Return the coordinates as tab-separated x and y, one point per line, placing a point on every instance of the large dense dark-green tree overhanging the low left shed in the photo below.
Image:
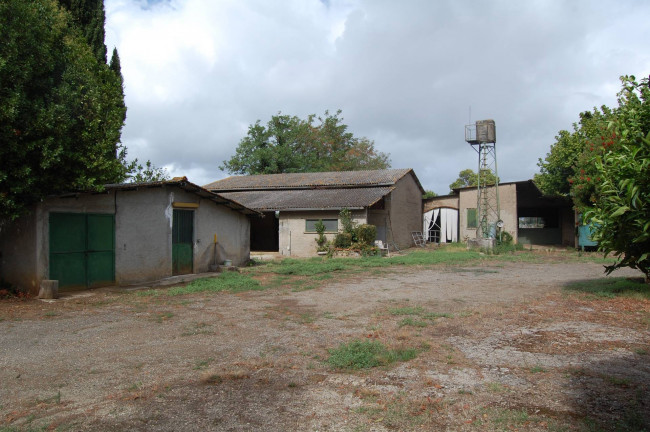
61	111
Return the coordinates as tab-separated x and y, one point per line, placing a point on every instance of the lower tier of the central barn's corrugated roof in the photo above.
309	199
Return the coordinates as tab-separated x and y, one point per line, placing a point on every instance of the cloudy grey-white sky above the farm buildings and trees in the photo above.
408	75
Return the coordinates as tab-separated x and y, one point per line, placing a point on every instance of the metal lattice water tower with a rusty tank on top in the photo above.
482	137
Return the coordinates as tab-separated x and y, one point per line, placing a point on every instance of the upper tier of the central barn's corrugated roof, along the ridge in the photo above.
369	178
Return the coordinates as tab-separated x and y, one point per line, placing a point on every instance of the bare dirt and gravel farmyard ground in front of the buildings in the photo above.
500	347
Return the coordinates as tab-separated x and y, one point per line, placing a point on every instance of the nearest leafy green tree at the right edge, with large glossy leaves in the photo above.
618	204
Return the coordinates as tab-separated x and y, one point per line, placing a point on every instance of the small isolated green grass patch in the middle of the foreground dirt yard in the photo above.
359	354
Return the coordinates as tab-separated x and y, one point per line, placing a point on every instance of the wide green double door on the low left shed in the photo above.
82	249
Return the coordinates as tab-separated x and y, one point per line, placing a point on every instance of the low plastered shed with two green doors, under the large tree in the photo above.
127	234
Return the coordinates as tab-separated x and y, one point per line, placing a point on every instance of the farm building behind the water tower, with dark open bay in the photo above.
528	215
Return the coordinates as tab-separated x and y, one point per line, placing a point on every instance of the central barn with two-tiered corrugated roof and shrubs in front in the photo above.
390	199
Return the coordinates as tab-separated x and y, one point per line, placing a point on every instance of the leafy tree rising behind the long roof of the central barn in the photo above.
289	144
